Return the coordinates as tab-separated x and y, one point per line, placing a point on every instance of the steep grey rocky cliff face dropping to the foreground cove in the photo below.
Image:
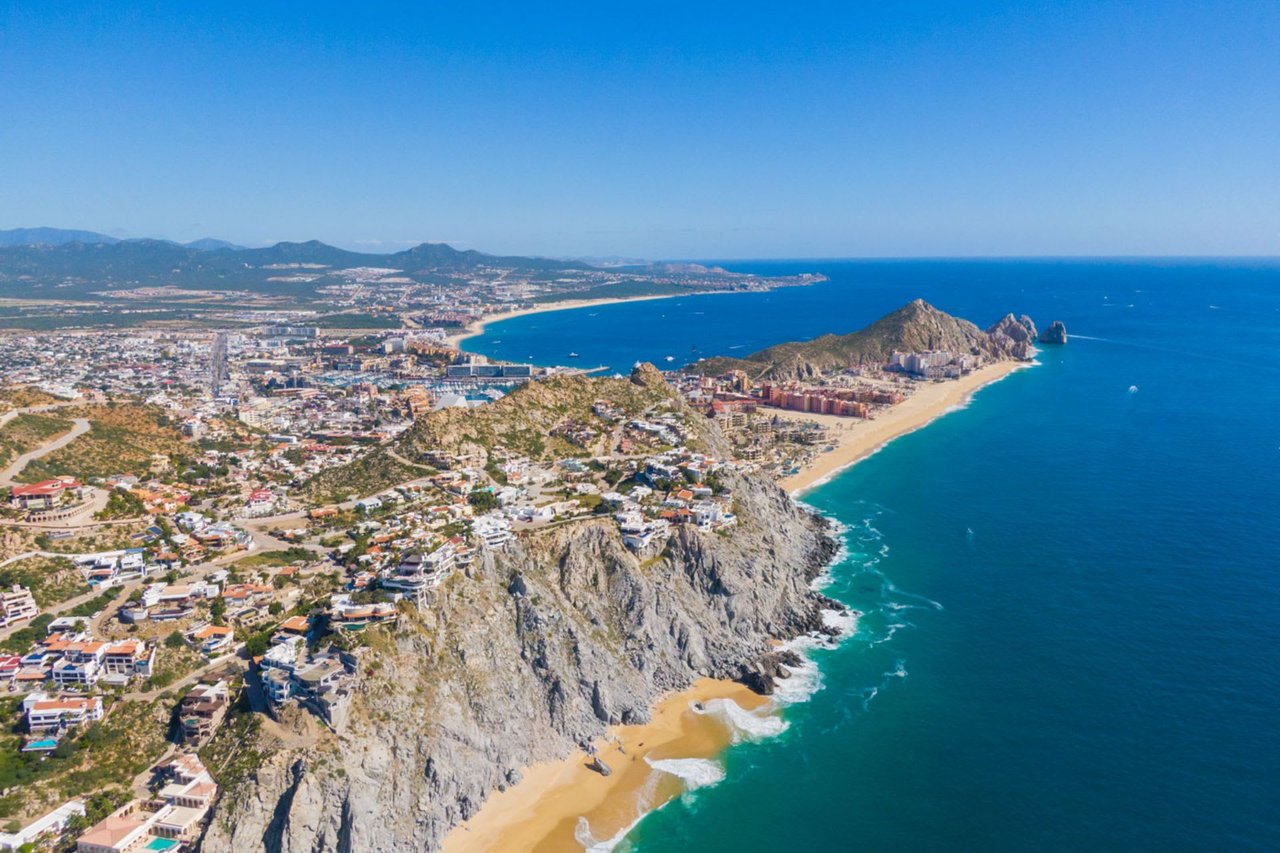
532	655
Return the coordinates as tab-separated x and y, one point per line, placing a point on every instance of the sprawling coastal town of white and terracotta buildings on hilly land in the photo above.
208	531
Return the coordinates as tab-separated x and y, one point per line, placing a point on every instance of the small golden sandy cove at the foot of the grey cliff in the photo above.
541	814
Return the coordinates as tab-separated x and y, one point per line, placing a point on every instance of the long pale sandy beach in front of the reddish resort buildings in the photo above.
856	439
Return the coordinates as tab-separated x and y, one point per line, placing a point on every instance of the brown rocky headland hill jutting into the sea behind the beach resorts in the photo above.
912	329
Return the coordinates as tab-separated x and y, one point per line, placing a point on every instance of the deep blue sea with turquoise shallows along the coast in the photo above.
1072	587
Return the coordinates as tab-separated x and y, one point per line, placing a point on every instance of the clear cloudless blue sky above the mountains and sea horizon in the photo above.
652	130
